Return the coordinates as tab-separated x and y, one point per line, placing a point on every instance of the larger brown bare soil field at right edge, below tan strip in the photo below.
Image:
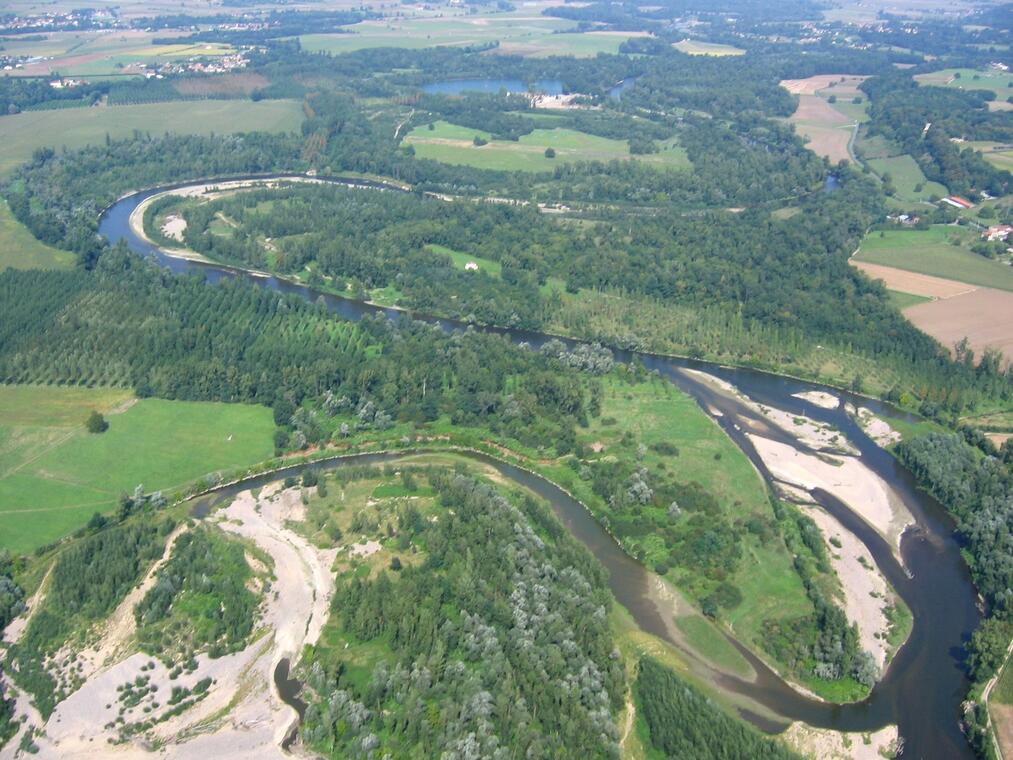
984	317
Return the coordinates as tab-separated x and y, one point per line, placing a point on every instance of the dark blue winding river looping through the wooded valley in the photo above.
925	683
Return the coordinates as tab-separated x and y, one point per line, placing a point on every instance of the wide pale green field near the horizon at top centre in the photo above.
518	34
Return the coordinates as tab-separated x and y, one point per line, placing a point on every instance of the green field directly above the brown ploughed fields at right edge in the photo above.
931	253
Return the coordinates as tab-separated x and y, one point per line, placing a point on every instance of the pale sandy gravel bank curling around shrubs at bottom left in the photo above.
243	715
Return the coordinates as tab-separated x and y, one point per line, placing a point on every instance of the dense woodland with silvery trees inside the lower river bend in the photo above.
500	644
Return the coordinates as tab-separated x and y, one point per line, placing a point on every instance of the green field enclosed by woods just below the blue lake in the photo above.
452	144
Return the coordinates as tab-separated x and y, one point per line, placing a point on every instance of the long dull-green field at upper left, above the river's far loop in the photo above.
74	128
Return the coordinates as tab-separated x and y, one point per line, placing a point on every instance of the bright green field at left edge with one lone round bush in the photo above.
54	475
